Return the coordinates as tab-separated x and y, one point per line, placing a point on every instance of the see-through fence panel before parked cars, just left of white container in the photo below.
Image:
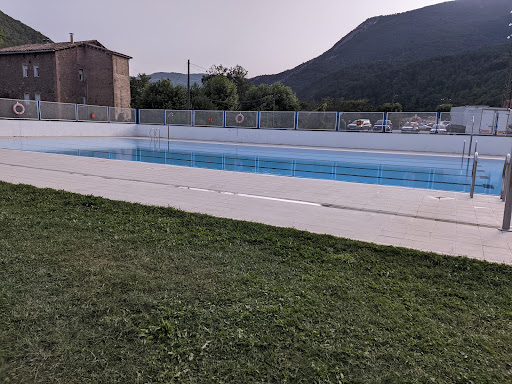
416	122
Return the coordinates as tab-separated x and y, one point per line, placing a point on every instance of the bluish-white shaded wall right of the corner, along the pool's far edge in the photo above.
487	145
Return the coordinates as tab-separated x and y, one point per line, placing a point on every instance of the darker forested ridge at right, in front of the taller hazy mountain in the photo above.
476	78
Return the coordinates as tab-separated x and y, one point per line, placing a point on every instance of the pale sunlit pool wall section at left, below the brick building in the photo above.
9	128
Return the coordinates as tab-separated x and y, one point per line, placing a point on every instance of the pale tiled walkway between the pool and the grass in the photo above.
438	221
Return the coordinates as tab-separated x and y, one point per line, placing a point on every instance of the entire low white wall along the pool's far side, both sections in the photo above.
487	145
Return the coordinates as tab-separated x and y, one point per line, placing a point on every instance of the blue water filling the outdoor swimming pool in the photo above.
416	171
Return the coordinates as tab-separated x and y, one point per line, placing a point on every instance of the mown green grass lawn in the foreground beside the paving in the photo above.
98	291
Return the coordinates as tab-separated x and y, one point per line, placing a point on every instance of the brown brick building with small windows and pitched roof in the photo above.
82	72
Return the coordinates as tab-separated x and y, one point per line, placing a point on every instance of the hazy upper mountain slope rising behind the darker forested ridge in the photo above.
438	30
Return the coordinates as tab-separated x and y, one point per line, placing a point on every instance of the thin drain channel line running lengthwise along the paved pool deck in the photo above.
324	205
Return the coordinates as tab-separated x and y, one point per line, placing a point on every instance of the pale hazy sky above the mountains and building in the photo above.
264	36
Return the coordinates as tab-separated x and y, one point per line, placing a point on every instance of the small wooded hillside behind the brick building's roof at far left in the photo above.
14	32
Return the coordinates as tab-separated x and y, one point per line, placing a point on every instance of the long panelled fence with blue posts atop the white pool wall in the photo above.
461	120
